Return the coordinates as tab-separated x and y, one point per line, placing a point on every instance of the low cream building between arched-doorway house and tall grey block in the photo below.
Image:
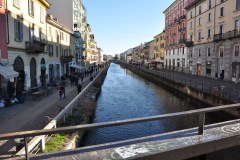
61	47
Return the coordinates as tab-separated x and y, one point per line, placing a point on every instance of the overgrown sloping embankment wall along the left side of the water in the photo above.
83	112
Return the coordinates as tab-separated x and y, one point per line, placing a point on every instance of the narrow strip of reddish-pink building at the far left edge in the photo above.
3	33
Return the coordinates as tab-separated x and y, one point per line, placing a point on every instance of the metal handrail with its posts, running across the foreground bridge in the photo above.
199	112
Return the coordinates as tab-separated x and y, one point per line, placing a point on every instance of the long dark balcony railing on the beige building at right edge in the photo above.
228	35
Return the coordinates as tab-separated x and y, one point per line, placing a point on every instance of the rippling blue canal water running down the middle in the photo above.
125	95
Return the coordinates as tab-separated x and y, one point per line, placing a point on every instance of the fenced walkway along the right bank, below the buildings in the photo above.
220	88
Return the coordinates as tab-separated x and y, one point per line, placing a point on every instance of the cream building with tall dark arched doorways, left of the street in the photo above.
26	30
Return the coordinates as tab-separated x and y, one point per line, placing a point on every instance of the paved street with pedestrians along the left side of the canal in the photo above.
31	115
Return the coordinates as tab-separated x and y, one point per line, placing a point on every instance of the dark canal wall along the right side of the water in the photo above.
184	91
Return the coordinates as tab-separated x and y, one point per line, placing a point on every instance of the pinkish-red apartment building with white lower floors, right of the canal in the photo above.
175	35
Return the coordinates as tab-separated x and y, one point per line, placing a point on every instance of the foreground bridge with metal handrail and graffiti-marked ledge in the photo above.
182	144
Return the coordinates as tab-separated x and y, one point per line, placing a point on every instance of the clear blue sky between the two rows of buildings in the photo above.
119	25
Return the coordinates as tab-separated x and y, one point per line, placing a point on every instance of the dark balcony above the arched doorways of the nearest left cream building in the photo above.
35	46
